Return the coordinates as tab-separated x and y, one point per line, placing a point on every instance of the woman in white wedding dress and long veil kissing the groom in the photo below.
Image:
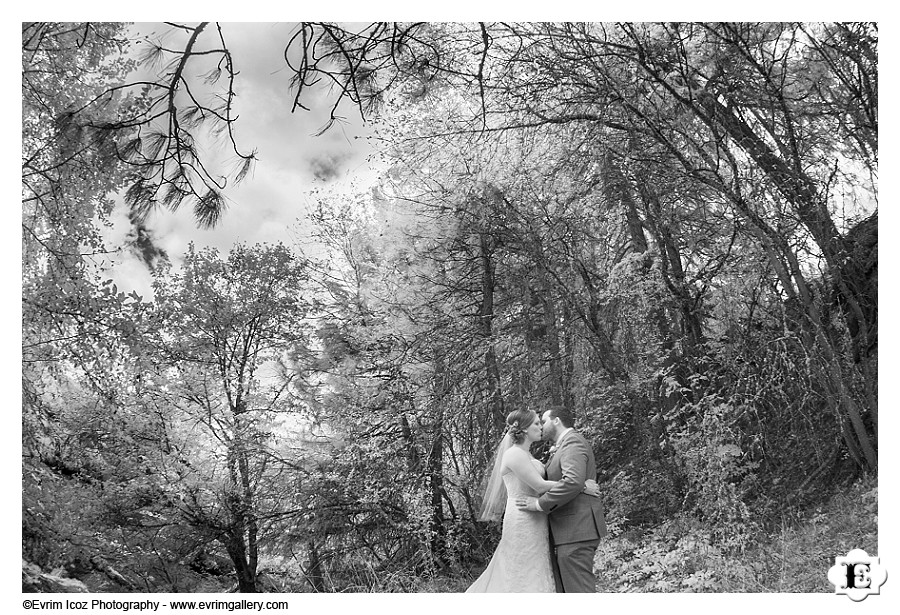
522	561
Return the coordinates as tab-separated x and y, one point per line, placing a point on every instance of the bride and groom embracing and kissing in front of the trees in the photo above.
551	513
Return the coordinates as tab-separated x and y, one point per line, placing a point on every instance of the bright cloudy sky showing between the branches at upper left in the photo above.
292	161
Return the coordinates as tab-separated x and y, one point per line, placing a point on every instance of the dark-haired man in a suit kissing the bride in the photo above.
576	519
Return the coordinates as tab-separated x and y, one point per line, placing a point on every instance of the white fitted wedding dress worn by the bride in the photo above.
521	562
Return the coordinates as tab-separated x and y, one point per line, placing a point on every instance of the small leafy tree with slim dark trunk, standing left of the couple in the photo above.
223	324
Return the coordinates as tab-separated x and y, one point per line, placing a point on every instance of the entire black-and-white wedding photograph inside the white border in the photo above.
448	307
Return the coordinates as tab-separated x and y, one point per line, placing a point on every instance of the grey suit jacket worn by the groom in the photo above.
574	516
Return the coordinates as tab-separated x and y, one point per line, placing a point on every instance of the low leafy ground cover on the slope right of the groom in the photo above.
681	555
